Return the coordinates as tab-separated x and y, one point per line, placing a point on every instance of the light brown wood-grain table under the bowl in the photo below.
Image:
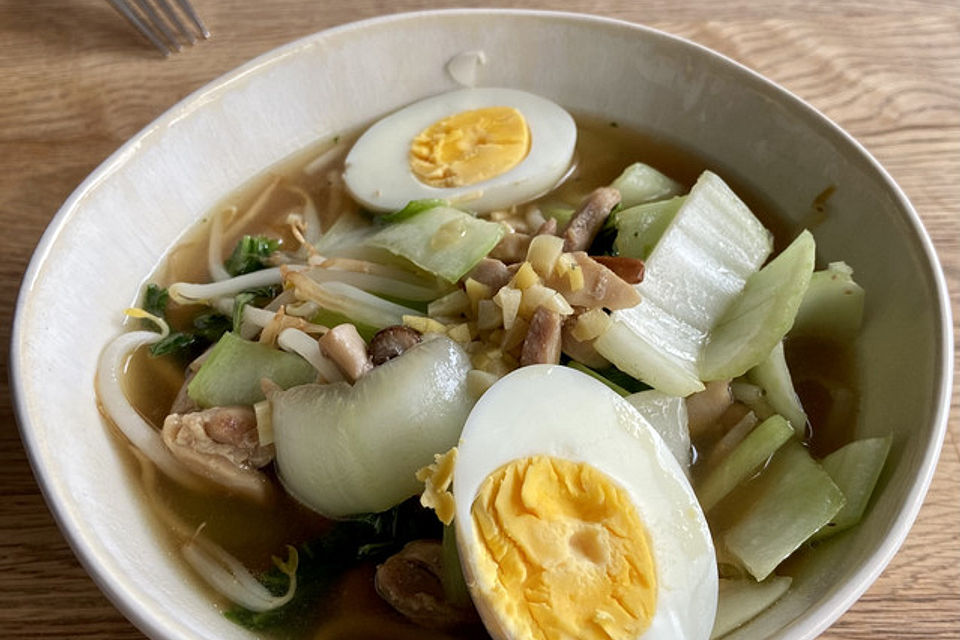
77	82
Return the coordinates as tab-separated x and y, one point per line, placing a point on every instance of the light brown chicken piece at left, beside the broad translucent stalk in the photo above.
222	444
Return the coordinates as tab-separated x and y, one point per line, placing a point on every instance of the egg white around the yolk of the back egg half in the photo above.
377	169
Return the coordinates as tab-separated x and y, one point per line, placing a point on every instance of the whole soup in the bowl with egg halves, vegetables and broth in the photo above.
485	370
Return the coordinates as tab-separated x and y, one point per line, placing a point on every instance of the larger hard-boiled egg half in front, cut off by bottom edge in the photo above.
574	520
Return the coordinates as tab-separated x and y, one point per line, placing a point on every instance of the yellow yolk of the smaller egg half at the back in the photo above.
470	147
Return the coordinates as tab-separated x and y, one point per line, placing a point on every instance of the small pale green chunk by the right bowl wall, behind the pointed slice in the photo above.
832	306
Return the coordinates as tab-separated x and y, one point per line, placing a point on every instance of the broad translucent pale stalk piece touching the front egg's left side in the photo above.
345	450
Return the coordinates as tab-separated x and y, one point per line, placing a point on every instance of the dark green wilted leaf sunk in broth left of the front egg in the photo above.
371	537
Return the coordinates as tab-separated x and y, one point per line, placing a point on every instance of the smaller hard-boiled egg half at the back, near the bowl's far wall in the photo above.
481	148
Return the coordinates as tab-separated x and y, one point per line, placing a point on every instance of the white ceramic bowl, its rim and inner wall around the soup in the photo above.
115	228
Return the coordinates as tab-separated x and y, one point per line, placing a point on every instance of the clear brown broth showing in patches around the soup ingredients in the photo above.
255	533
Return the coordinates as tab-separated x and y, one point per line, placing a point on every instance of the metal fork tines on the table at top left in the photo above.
145	16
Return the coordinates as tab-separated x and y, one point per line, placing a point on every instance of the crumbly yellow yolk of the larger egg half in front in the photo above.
566	551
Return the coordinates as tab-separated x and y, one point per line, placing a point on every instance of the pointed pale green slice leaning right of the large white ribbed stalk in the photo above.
761	315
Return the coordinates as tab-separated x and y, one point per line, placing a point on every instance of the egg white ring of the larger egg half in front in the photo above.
556	411
